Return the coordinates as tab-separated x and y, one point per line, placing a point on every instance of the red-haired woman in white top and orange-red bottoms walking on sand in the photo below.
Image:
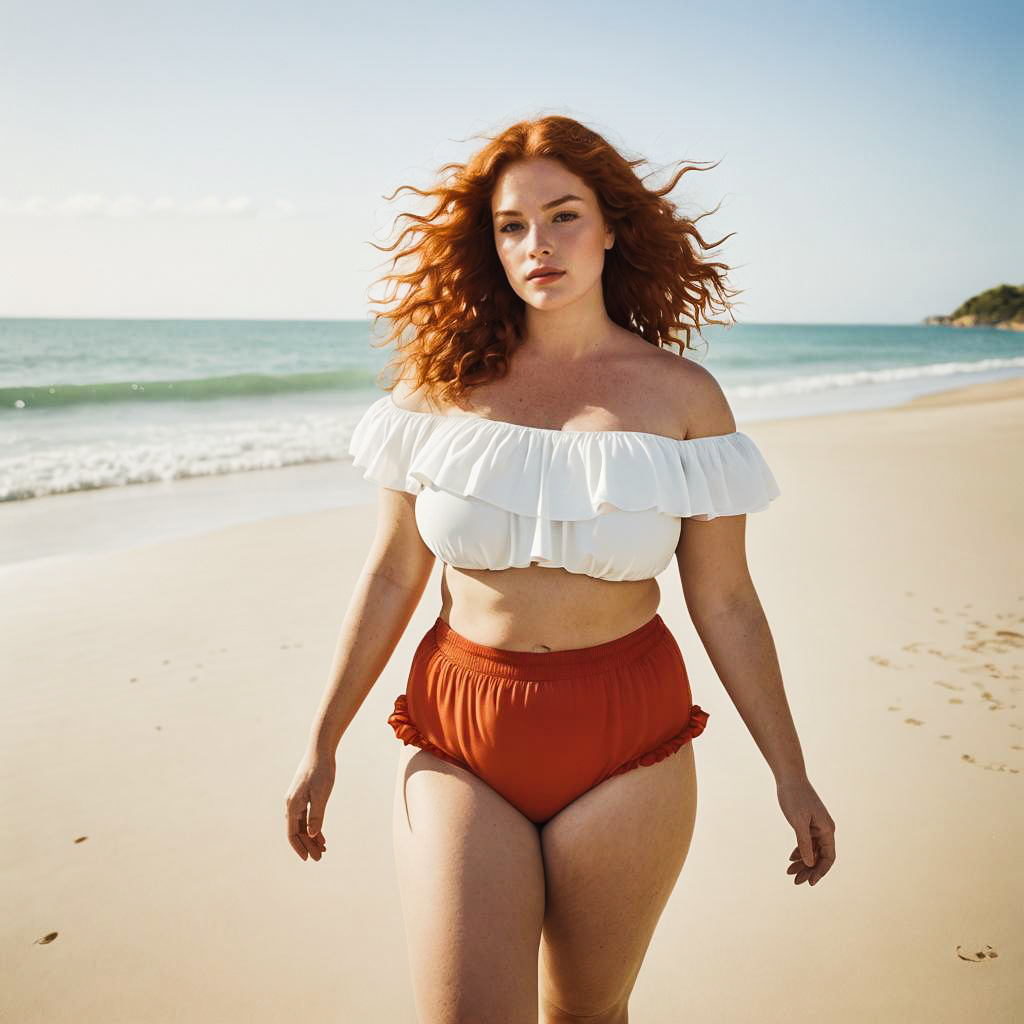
554	457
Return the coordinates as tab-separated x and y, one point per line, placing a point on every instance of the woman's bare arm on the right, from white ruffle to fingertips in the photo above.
729	618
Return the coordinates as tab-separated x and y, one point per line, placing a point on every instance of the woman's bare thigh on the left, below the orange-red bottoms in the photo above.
472	882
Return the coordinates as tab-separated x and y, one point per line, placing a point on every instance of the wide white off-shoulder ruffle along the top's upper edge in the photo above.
561	475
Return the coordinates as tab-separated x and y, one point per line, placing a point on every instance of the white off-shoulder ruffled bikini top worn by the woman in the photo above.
610	504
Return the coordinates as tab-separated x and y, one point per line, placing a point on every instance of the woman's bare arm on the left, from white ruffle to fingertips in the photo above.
387	595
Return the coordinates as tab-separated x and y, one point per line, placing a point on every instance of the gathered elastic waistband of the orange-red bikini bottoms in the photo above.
547	665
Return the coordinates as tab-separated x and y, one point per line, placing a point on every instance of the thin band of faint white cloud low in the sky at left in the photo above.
130	206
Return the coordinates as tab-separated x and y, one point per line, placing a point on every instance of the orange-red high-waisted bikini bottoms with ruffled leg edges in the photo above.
542	729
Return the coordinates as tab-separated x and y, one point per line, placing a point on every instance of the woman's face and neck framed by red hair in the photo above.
566	319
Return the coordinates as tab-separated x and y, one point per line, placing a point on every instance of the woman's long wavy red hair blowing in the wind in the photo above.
459	321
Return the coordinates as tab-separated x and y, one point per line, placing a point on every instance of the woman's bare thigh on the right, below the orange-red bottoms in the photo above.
612	860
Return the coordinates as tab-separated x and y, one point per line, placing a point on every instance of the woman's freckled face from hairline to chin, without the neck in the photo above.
544	216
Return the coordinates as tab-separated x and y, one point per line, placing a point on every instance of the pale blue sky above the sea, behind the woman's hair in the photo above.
231	160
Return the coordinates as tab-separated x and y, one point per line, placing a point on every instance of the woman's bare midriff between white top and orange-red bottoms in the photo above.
539	609
